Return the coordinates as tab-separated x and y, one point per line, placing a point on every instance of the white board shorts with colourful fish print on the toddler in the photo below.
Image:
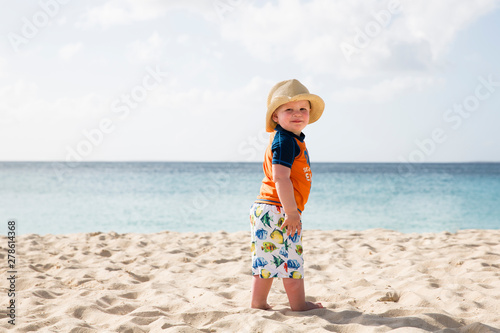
274	254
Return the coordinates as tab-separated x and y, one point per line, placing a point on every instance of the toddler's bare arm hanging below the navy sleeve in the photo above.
284	187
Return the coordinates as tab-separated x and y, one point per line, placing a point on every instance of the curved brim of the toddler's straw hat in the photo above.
317	107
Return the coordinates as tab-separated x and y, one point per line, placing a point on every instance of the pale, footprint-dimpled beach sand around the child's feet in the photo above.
368	281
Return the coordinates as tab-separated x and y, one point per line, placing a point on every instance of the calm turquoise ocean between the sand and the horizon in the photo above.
146	197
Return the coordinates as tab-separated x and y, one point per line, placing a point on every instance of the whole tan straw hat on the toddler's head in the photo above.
291	91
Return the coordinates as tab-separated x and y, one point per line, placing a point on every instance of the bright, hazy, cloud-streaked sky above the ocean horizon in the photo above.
160	80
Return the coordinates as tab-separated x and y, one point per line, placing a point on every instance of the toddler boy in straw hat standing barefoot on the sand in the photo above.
275	215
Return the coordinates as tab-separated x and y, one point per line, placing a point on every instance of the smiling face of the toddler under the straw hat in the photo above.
293	116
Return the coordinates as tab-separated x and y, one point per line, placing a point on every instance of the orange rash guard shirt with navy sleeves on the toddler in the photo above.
287	149
